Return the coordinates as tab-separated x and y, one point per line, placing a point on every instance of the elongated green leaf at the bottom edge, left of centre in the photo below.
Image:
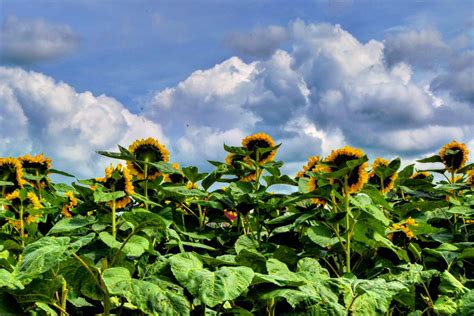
149	297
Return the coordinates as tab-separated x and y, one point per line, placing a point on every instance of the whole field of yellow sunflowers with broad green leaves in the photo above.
351	237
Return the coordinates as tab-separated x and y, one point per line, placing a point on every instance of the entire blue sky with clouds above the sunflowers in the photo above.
394	77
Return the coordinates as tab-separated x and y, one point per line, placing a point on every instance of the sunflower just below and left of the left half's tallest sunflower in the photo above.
118	179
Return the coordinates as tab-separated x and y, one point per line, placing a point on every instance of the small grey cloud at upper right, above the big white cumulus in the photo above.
424	48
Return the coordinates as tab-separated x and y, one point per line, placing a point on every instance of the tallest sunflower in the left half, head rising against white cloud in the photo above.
147	150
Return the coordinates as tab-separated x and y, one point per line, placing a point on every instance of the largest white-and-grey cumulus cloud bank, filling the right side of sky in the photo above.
327	90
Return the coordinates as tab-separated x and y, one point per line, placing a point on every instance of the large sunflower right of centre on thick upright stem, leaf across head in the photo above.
358	176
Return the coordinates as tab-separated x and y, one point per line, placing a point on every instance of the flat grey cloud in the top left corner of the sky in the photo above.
26	42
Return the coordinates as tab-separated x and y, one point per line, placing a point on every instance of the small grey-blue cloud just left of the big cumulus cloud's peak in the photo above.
260	42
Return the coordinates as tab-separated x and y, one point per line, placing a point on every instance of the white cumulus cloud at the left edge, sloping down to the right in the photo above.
38	114
